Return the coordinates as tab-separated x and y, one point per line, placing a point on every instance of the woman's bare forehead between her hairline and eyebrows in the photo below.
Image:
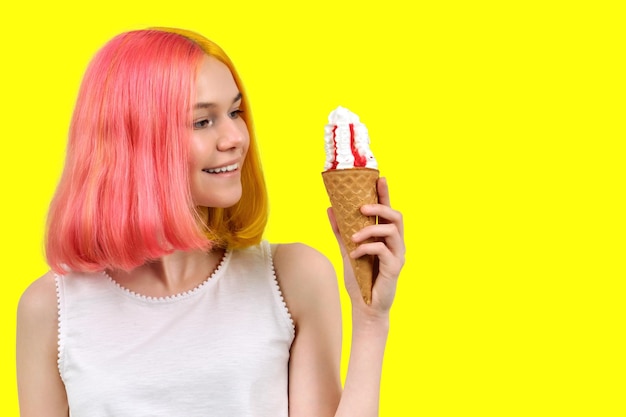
214	82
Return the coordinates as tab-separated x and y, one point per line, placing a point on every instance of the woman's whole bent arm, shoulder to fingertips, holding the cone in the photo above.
309	285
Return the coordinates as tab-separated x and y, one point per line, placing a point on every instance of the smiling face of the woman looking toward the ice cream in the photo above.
220	138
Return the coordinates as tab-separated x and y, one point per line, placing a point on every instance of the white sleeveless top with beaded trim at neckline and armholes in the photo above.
221	349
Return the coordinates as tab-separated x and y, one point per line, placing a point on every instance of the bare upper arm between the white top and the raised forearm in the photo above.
309	286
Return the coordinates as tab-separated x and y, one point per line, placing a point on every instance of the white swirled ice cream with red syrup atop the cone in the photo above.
347	143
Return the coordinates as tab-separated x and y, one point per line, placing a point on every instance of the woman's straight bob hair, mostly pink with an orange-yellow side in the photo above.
124	196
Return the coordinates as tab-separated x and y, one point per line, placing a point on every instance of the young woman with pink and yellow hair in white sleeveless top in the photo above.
162	299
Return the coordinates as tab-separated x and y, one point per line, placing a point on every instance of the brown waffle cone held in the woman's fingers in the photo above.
348	190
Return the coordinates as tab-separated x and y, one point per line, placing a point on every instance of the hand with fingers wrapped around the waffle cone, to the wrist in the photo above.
389	248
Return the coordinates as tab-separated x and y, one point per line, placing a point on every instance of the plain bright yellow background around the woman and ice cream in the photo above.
500	126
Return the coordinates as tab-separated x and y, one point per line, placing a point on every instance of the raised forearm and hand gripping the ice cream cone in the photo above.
370	323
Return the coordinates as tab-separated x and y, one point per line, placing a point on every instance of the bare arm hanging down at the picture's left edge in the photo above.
40	389
